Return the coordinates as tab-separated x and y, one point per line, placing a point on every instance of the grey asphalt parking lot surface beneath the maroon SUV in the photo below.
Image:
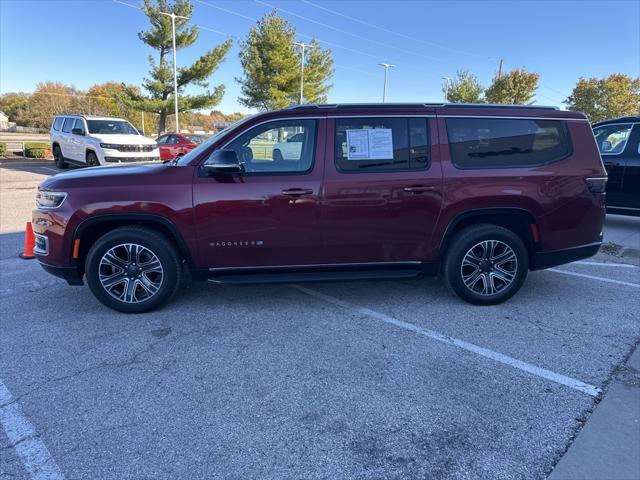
358	380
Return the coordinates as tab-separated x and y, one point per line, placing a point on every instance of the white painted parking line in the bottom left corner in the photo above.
34	454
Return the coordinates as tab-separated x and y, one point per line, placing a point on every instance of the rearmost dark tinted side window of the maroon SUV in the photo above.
501	142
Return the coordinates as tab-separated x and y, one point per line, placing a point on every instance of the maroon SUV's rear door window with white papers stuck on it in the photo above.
381	144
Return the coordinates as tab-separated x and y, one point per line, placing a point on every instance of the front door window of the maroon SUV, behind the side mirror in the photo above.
265	148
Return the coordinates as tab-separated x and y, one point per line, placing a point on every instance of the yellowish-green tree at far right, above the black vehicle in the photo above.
614	96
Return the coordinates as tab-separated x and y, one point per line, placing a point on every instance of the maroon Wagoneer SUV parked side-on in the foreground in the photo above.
482	194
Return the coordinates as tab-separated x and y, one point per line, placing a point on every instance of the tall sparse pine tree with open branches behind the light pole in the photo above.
159	85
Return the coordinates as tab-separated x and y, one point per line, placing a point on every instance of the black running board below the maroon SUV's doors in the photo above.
245	278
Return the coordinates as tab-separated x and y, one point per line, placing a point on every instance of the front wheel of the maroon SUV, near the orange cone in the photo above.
165	279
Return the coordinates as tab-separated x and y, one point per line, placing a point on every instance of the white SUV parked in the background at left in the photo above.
93	141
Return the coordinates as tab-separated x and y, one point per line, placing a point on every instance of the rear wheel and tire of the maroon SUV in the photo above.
486	280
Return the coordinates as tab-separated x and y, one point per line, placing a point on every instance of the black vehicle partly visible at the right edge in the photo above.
619	144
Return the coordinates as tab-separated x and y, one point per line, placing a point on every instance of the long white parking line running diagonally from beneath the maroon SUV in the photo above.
498	357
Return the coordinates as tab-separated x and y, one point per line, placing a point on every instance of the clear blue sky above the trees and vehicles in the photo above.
86	42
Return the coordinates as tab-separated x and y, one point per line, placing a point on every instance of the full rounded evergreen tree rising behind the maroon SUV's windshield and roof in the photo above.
271	64
